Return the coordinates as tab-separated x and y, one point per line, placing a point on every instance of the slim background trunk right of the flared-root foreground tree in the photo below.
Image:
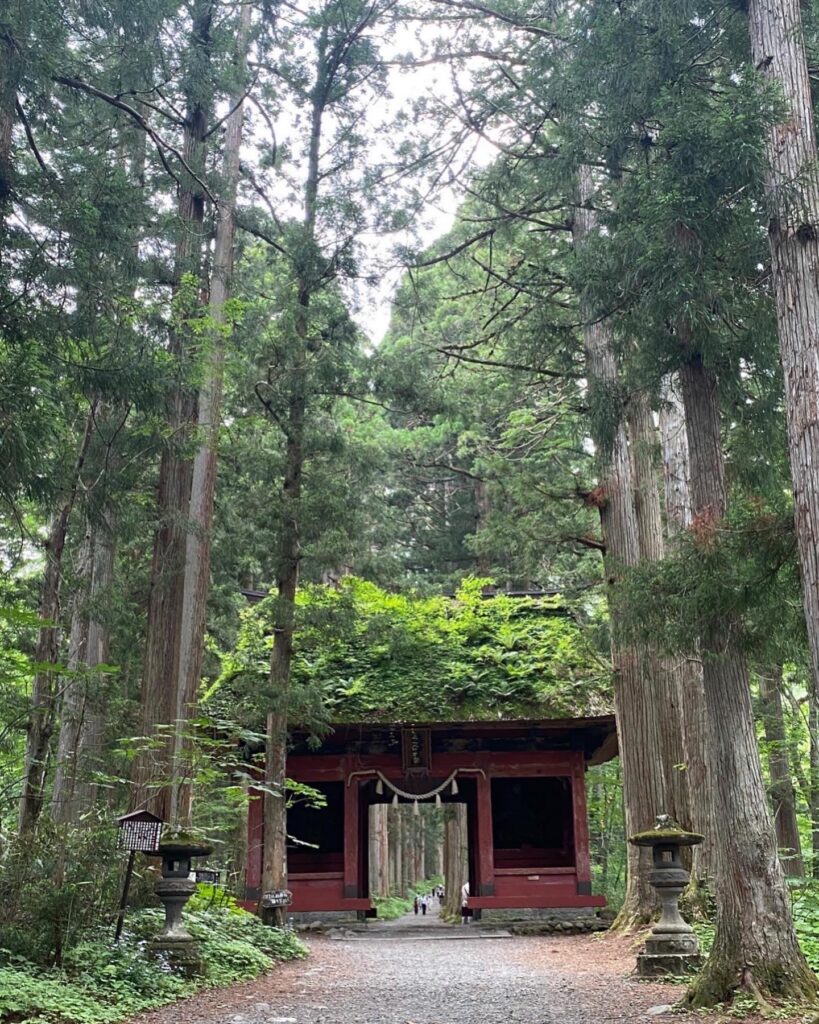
784	797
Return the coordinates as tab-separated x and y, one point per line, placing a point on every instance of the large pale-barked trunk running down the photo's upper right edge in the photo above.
793	187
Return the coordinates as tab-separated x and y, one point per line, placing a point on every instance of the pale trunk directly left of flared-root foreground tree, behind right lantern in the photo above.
676	475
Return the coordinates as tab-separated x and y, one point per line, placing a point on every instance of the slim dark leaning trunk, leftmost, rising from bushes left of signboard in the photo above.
44	710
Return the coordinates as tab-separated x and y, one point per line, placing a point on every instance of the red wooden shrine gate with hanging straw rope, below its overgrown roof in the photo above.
523	782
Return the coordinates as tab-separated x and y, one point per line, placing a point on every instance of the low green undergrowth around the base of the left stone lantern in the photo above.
101	985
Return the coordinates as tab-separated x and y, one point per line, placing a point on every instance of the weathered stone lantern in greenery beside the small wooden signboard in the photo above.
175	888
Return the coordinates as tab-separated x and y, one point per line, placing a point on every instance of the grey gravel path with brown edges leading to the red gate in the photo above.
418	971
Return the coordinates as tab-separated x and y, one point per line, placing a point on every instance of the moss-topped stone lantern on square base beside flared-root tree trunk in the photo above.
672	948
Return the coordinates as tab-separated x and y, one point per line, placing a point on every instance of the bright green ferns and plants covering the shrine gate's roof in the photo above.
366	655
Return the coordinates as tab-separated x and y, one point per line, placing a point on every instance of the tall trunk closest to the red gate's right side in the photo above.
638	716
